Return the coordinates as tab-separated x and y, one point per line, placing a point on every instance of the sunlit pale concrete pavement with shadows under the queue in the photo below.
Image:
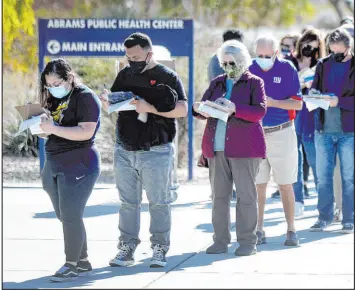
33	247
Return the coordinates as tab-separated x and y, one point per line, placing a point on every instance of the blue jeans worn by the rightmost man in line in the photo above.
328	145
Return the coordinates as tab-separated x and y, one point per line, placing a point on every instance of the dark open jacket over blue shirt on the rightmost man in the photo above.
346	100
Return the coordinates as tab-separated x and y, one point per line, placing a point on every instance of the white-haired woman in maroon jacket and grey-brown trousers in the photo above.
235	148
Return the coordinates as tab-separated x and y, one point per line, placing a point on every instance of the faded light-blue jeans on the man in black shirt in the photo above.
150	170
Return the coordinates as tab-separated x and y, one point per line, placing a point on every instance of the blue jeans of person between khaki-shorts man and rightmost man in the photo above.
307	144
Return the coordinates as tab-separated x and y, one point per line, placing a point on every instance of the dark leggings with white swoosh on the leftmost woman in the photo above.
69	178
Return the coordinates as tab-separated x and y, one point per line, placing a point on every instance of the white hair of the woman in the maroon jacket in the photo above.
237	50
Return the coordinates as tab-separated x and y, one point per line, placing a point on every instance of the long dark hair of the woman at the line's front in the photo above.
61	68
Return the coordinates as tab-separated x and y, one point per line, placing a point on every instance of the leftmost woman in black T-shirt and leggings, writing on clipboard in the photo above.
72	163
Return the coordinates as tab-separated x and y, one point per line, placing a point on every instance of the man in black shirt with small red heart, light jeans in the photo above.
144	151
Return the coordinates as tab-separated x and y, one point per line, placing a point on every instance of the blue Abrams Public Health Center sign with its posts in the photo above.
105	37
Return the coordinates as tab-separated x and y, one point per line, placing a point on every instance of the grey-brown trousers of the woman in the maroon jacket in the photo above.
242	172
